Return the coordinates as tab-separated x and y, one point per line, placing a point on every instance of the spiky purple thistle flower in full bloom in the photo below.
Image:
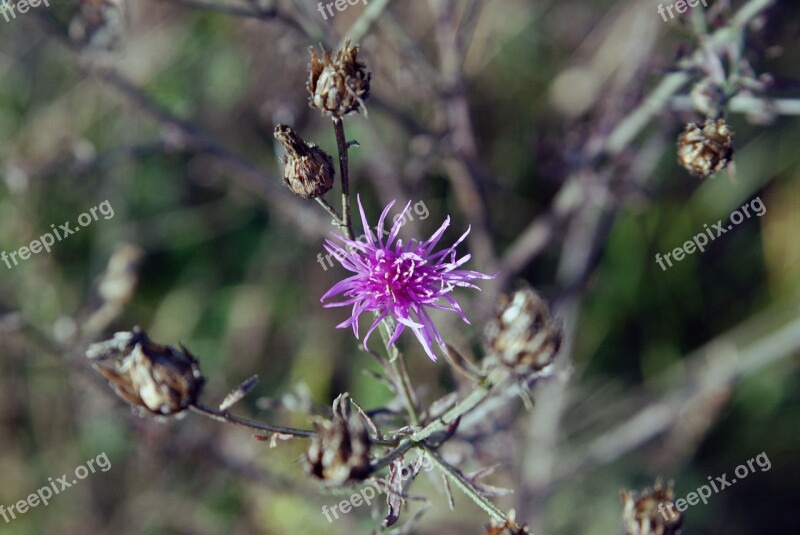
399	280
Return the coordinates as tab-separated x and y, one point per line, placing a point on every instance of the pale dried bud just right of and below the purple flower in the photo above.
522	336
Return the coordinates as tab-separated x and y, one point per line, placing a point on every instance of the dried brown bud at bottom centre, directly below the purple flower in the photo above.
339	452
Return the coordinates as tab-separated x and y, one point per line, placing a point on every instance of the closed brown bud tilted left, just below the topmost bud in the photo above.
308	170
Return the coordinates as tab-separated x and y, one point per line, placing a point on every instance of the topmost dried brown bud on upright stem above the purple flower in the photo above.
338	85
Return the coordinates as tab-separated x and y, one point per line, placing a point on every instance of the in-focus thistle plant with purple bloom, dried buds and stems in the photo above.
398	282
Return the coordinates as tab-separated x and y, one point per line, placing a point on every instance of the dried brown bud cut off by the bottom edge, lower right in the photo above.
651	512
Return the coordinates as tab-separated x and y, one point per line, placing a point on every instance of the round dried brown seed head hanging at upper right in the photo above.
704	149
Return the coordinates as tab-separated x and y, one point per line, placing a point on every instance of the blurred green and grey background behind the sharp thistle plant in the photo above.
495	113
